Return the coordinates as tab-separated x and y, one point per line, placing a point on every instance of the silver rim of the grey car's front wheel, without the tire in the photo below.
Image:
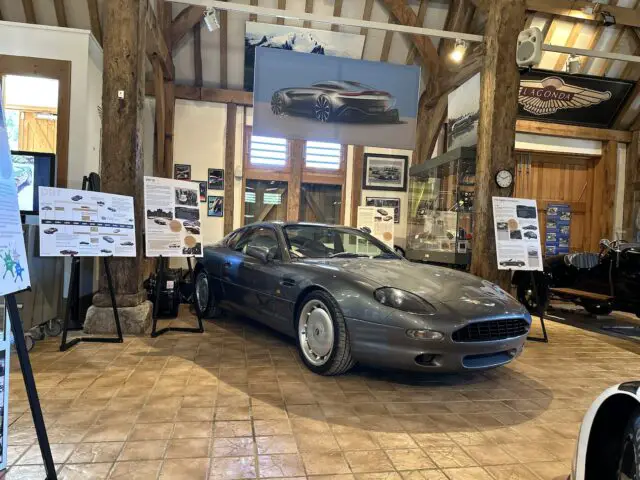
315	332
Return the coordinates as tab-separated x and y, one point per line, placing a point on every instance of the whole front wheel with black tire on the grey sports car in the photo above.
328	350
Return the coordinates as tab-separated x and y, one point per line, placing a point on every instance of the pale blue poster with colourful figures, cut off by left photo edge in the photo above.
14	271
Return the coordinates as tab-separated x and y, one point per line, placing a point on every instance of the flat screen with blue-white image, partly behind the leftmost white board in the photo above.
32	170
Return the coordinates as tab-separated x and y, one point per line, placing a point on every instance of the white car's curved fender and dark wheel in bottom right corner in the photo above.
609	439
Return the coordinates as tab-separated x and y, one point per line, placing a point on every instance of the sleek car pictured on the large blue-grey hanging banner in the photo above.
337	101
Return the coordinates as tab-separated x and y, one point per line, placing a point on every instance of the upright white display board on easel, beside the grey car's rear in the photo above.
172	218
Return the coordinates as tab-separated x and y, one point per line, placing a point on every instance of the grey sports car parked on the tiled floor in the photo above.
346	297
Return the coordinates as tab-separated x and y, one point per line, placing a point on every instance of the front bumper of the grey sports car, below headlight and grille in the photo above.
389	346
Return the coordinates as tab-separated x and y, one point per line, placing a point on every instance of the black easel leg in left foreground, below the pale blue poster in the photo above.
30	385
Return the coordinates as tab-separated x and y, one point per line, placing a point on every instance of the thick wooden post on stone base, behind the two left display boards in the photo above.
122	168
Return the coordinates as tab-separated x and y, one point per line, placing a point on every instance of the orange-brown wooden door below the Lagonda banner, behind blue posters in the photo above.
554	178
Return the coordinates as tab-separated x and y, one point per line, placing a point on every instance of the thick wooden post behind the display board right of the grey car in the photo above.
496	133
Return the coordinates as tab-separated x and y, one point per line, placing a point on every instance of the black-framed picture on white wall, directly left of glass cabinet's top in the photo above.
385	172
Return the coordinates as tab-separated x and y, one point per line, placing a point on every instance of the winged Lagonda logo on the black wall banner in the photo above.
547	96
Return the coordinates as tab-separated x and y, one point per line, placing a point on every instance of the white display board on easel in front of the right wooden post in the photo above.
517	234
